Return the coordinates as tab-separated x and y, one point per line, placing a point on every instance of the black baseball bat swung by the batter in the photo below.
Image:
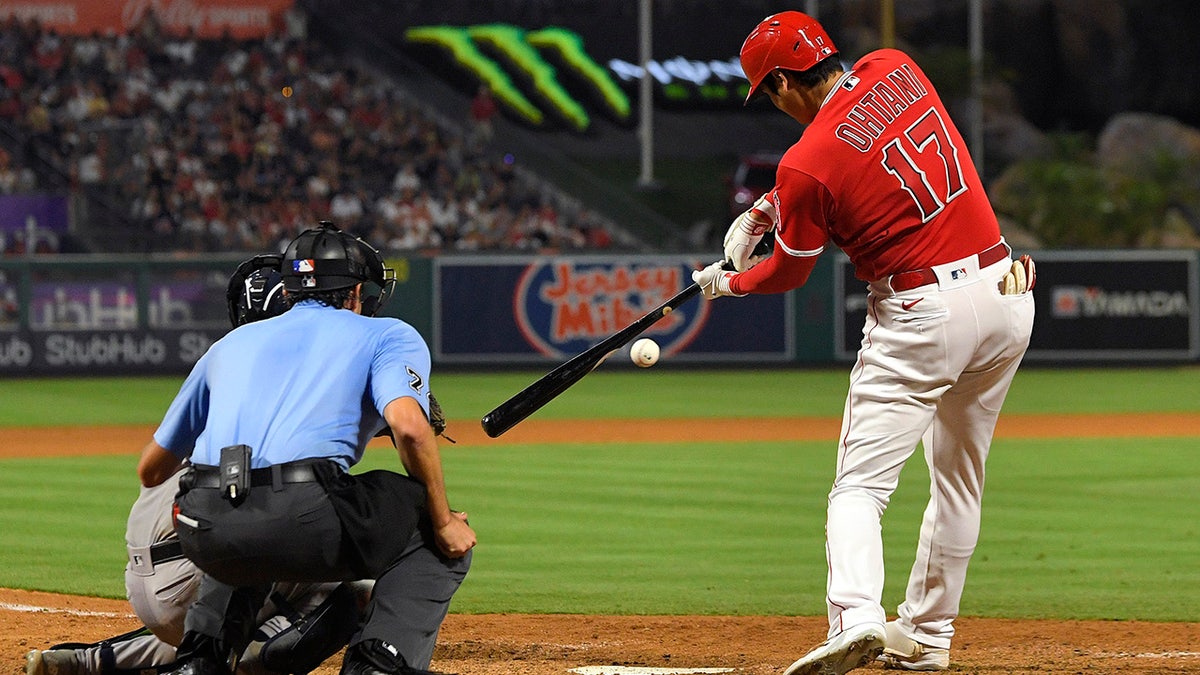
531	399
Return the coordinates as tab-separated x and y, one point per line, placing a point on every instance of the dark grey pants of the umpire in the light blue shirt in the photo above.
293	533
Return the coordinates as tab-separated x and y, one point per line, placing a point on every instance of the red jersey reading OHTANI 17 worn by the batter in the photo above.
881	172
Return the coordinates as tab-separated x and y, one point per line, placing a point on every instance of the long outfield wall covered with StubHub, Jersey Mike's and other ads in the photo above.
85	315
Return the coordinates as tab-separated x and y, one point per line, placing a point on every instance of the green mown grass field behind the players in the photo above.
1073	529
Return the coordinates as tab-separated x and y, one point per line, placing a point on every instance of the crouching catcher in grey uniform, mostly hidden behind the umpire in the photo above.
298	628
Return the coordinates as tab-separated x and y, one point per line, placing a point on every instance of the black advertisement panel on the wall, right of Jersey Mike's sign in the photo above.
1091	307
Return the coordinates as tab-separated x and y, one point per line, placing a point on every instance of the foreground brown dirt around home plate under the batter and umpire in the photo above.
754	646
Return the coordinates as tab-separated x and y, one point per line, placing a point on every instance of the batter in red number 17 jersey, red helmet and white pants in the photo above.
883	174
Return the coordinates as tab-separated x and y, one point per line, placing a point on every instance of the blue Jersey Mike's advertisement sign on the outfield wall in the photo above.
549	310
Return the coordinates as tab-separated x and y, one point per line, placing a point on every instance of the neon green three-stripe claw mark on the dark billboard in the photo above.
520	49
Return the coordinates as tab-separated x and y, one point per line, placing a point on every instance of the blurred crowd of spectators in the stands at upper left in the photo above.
238	146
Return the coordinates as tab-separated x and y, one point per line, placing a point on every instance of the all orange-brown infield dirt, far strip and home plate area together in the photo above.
616	646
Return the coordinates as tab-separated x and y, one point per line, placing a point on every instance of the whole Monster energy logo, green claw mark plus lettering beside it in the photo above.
494	53
